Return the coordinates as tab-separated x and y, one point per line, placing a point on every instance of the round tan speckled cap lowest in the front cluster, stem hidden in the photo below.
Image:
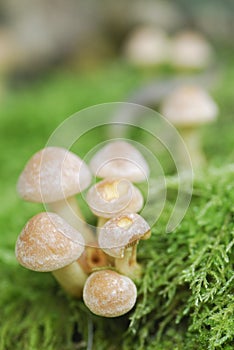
109	294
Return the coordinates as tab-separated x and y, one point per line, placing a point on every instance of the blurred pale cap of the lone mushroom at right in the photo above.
189	106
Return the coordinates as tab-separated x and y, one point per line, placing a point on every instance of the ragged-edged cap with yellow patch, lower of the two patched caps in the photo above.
121	232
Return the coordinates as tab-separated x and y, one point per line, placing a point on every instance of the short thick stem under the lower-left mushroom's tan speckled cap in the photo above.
72	278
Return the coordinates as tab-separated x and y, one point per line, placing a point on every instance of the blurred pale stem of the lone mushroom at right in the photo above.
191	138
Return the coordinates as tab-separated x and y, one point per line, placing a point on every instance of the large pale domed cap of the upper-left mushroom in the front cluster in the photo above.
53	174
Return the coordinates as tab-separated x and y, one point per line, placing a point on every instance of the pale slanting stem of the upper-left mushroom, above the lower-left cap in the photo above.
69	210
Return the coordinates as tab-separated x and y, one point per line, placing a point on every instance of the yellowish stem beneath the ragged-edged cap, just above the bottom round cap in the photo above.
128	264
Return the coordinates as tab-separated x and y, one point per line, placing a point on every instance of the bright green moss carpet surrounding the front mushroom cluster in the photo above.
185	297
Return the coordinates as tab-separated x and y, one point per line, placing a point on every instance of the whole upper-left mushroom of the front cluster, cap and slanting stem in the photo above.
53	176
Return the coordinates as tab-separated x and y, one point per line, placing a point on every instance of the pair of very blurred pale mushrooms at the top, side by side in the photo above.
149	46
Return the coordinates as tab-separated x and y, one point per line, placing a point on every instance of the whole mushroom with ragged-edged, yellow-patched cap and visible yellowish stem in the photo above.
119	238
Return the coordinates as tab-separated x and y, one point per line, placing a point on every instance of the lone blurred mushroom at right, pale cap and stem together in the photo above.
187	108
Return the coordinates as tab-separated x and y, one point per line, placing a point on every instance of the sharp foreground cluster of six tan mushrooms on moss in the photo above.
100	265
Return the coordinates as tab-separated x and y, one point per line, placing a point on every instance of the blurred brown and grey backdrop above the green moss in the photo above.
36	36
